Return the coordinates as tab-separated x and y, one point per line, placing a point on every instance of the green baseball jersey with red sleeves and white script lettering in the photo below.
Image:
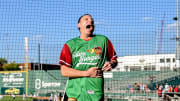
82	55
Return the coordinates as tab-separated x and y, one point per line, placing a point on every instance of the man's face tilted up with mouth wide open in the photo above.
86	25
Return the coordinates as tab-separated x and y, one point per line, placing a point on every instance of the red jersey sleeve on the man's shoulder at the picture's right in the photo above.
111	51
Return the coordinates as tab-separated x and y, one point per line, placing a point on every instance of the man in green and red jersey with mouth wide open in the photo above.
83	60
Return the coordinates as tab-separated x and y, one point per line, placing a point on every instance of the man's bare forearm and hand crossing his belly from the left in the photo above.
73	73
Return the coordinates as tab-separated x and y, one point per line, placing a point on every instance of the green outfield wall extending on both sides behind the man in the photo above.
42	83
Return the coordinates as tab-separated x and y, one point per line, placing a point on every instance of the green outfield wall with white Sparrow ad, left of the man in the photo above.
41	82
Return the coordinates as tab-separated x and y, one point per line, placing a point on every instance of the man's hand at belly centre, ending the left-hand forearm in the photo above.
94	72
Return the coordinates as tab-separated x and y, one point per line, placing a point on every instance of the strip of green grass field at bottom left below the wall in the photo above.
17	98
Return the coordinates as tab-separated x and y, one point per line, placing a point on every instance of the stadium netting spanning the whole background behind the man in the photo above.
144	33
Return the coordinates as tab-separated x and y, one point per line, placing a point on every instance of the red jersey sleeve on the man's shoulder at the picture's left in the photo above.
65	57
